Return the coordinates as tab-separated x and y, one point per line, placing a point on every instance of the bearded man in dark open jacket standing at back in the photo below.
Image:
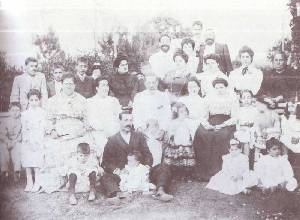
210	47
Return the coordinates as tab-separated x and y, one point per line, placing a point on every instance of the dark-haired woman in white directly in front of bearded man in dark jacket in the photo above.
212	71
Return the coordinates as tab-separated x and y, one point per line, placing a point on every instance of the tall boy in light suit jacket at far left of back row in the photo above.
30	79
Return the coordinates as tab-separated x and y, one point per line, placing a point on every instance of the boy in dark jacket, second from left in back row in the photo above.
54	86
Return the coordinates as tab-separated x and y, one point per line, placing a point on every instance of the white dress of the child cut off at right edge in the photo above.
290	129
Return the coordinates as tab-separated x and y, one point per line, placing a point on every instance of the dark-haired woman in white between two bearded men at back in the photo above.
188	46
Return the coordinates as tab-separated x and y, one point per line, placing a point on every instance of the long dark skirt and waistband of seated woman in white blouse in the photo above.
211	145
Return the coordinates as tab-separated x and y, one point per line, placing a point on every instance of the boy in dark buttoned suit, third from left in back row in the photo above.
84	84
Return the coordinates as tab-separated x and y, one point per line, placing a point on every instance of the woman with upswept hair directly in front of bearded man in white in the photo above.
175	82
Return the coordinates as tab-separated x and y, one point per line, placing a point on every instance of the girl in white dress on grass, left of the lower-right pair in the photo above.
235	176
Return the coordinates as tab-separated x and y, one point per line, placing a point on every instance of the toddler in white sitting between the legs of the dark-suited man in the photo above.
135	176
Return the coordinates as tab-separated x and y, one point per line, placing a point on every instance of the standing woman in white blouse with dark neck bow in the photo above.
247	77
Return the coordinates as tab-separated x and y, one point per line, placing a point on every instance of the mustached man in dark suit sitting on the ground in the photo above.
115	158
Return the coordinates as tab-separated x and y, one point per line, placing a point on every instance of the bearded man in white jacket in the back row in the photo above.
162	61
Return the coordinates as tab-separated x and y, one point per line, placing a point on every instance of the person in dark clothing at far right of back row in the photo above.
280	84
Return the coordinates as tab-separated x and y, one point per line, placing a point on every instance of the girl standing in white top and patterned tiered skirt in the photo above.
179	152
